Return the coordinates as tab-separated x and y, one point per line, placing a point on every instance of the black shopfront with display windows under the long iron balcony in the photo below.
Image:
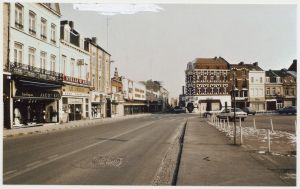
35	103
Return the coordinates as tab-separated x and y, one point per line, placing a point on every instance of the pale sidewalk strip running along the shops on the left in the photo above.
46	128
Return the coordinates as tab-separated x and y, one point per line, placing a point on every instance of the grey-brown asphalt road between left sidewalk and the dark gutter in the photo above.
128	152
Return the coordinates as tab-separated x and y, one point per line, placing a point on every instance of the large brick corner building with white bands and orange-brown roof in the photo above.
207	86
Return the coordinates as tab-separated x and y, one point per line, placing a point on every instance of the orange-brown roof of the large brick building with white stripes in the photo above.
211	63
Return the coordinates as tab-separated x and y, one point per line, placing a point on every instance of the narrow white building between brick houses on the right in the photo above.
257	90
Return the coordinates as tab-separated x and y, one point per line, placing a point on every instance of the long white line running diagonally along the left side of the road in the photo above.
71	153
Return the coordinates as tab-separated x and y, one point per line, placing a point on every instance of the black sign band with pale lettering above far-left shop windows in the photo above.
37	94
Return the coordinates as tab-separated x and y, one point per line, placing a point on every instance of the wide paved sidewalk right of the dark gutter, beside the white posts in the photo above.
210	159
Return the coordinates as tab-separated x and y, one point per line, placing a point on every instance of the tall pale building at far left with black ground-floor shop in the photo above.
33	62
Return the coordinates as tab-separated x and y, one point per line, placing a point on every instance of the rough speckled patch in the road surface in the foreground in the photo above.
100	162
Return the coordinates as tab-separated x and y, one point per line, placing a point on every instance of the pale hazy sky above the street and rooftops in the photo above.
158	45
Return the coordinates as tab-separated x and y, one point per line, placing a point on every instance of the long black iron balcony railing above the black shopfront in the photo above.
34	72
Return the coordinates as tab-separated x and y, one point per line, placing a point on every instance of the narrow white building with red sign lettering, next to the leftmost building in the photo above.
75	67
